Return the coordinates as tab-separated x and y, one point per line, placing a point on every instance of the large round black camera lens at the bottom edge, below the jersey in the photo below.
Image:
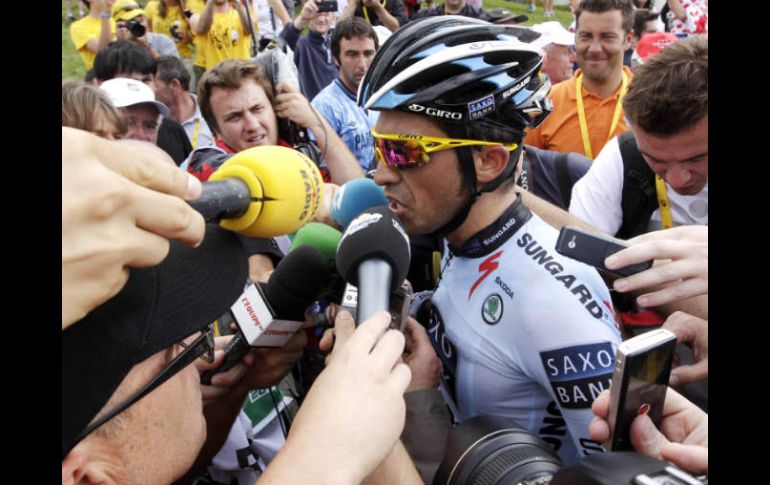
490	451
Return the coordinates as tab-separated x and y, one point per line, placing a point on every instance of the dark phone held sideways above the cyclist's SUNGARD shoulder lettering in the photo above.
592	249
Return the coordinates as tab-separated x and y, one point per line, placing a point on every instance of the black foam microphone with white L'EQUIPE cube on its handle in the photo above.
268	314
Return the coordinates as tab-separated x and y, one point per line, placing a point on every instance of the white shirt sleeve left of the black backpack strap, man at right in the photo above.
596	197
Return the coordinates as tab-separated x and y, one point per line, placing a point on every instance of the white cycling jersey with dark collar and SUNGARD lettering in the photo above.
525	333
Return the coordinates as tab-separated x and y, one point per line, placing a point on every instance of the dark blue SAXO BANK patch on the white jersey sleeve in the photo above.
578	374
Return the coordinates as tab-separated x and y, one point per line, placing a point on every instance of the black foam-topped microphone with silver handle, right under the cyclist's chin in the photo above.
374	256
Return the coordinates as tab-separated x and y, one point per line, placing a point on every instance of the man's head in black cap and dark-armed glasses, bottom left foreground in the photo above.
131	401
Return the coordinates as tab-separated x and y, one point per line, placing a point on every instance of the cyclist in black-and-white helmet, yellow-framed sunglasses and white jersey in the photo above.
523	332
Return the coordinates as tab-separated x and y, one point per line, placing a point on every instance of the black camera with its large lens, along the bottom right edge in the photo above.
497	451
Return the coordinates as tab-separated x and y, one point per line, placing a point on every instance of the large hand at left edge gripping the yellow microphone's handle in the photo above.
101	241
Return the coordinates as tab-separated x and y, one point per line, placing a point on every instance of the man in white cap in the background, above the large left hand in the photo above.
137	102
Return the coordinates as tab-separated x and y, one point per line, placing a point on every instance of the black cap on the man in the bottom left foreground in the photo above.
158	307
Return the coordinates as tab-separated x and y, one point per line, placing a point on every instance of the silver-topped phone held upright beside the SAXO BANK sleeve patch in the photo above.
639	383
